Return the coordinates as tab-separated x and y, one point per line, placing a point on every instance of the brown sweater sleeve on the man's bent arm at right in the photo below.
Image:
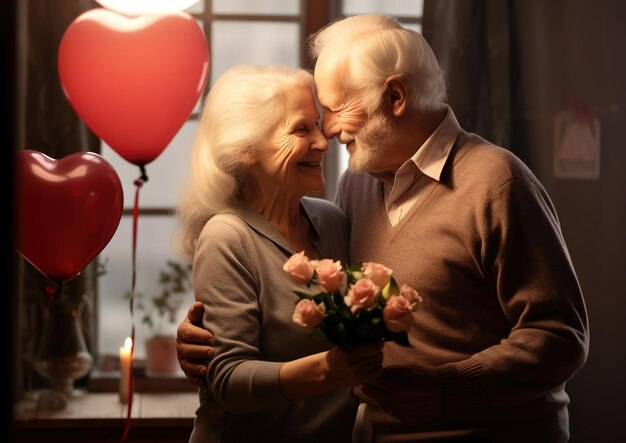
525	258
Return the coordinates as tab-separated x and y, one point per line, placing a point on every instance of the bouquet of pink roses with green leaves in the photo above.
359	304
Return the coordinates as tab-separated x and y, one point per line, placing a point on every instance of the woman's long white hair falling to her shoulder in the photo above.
239	114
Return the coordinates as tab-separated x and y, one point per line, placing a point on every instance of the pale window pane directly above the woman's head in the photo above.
264	43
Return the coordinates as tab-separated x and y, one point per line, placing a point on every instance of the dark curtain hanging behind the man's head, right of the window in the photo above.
471	41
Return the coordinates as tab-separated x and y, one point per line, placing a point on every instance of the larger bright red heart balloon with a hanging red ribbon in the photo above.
134	81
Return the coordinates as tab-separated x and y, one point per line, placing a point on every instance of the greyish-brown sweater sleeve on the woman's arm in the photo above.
224	281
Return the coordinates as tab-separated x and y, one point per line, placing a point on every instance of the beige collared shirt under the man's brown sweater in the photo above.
425	165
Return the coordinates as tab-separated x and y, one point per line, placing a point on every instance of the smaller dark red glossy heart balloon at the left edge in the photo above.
66	210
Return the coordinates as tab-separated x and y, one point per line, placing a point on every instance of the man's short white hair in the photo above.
372	47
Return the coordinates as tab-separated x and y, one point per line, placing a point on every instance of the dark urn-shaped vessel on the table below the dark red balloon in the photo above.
63	355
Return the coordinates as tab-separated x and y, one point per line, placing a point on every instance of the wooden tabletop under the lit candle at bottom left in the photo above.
100	417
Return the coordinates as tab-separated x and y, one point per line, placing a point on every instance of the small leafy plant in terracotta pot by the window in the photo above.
159	310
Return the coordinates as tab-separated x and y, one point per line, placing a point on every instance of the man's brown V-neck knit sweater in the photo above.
503	318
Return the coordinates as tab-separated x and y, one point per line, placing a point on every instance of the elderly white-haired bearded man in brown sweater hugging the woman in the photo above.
503	325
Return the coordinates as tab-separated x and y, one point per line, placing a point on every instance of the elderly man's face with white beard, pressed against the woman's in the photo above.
345	116
